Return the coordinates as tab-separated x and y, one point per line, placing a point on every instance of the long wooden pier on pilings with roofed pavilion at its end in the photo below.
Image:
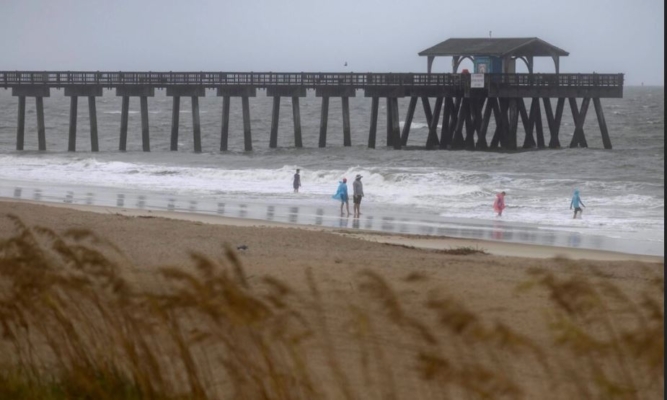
462	103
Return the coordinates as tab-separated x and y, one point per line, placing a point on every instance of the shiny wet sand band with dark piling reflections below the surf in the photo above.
485	230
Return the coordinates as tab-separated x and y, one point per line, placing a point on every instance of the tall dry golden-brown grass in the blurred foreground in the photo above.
76	322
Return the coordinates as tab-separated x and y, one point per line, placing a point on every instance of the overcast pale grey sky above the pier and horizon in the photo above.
605	36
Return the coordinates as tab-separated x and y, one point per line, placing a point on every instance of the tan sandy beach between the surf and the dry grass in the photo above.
486	283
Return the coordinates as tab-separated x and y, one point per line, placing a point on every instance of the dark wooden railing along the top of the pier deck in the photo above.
57	79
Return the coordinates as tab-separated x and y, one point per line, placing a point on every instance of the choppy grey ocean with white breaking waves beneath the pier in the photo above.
408	191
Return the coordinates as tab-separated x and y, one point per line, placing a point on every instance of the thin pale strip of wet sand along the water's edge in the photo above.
428	242
